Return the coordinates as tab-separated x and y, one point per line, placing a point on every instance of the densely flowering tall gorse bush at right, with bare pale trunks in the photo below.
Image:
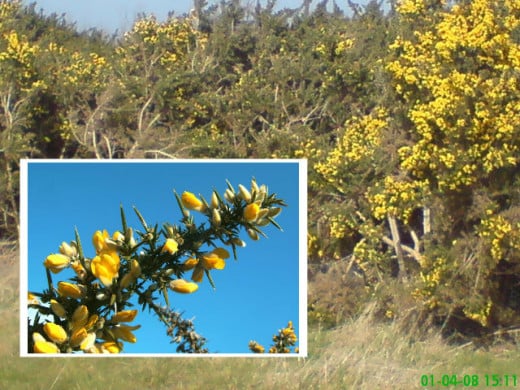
430	184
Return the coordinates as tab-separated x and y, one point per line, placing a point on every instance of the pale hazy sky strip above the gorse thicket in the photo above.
120	14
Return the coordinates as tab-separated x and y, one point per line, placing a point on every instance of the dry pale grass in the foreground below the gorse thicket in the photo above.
361	354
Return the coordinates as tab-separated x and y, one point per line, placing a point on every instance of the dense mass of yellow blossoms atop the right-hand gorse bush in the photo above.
466	121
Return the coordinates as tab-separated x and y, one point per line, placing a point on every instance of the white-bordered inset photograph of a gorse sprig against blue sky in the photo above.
153	258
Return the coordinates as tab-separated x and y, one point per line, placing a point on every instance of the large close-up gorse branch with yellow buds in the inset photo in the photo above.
90	312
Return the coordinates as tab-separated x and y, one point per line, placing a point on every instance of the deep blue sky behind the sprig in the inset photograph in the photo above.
254	297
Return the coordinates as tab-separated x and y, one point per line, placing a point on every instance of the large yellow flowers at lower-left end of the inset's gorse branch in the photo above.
78	329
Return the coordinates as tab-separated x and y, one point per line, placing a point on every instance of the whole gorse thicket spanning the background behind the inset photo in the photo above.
409	120
